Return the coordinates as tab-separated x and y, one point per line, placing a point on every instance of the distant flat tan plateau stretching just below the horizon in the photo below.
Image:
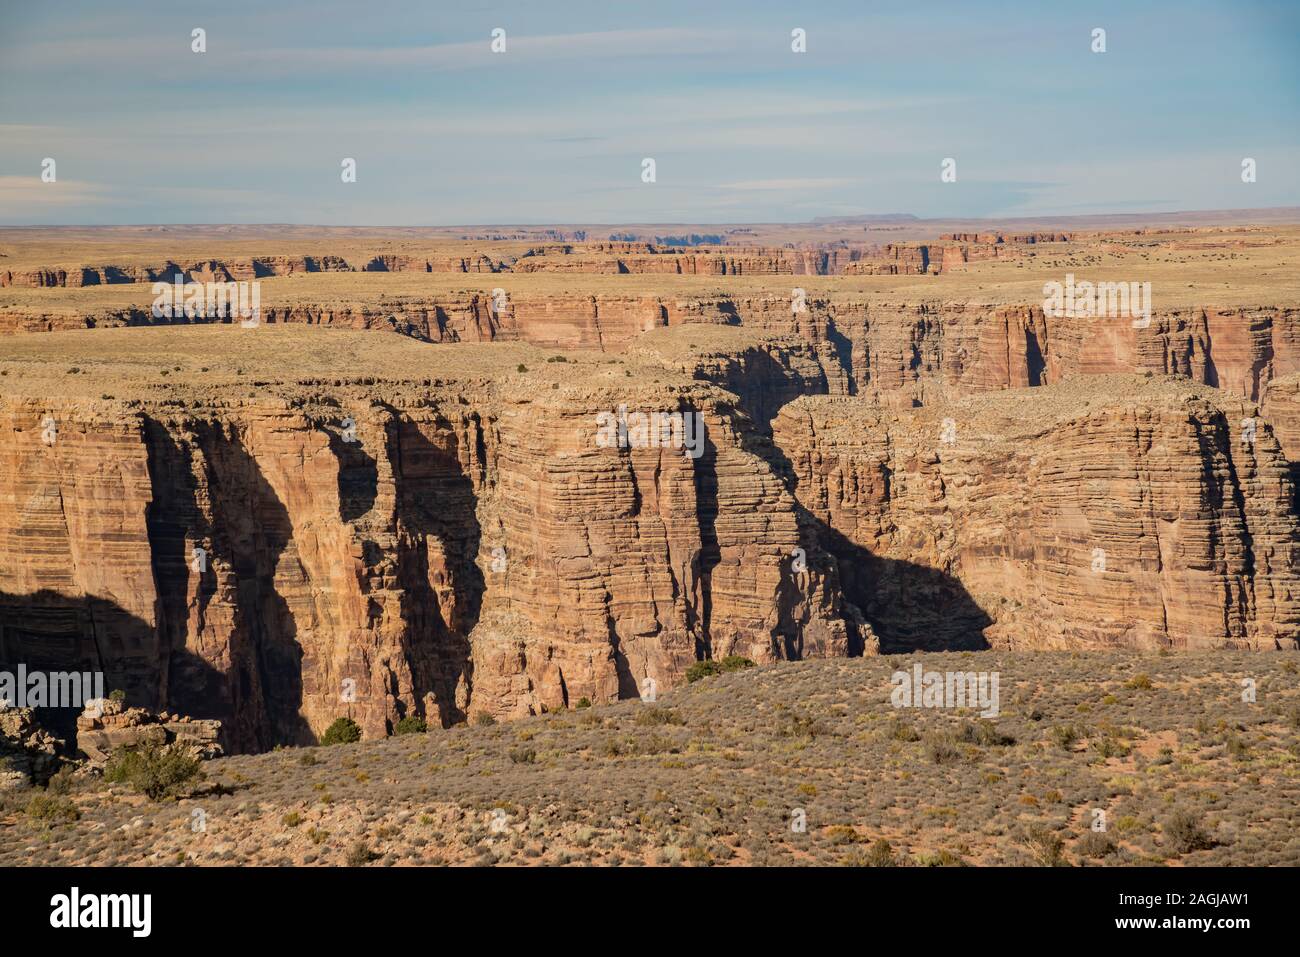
1258	266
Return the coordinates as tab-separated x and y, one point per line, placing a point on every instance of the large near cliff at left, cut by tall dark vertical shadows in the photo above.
466	547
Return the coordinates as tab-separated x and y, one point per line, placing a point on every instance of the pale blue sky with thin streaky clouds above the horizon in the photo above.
554	129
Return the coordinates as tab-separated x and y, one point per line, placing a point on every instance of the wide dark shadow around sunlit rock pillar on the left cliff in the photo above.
242	617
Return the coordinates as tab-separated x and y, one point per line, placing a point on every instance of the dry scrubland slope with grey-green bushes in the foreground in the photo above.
1188	773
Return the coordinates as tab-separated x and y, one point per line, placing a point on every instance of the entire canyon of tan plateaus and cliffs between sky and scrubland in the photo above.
387	499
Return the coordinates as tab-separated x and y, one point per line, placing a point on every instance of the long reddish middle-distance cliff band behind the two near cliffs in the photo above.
903	353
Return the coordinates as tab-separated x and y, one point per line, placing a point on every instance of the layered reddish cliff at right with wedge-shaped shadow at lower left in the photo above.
1099	513
